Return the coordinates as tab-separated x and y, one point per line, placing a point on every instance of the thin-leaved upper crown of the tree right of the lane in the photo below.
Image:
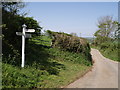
107	26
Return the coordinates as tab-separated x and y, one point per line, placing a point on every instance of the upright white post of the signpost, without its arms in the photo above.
23	45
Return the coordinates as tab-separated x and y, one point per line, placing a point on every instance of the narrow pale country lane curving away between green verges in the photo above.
103	75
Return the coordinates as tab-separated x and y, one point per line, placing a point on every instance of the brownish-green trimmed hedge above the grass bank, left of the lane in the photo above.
70	43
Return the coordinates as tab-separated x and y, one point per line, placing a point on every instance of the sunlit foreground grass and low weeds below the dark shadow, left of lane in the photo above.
29	77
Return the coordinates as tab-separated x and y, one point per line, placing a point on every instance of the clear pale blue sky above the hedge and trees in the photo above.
68	17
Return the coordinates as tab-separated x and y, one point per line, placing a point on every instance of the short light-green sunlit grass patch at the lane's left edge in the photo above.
71	73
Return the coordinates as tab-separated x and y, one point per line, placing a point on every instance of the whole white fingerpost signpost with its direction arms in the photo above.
24	35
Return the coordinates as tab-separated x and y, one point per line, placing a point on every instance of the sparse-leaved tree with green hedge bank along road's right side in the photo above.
107	37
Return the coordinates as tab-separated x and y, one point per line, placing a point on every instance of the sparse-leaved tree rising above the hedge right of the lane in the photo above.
106	29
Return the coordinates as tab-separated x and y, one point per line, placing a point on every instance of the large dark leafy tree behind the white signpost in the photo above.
12	22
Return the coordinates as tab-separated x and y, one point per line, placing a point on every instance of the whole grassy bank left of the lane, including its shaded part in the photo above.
45	67
